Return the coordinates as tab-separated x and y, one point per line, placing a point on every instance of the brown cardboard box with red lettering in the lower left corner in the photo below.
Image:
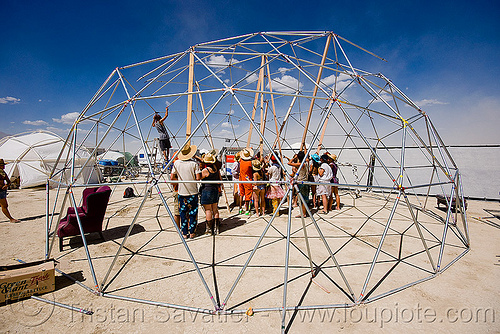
26	279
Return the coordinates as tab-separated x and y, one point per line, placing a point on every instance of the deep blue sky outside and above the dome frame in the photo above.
54	55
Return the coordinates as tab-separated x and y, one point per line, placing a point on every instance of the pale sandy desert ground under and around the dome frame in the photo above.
154	265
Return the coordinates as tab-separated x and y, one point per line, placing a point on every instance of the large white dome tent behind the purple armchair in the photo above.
32	158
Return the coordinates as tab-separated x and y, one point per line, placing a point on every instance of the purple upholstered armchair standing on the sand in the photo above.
91	213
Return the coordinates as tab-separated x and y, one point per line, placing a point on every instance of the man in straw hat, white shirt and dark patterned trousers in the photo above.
186	169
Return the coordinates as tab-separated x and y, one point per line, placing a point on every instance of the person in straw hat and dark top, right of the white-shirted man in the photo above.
210	193
